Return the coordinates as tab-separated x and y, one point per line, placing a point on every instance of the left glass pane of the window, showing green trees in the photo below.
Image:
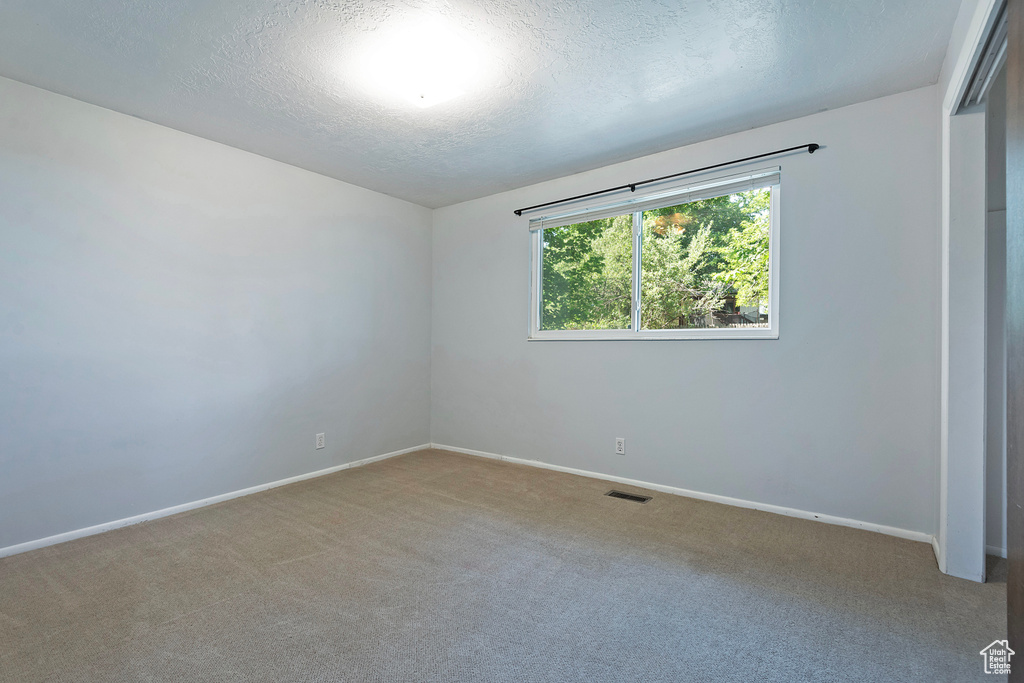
587	275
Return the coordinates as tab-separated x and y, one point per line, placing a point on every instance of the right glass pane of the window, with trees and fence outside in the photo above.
705	265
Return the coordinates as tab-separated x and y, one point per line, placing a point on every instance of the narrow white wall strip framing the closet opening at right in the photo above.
961	538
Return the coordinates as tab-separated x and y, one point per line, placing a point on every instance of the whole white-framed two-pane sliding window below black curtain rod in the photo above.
694	263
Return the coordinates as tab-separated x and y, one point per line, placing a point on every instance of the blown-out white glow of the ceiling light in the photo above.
423	63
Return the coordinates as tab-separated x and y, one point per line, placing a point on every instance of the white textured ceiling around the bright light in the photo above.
565	87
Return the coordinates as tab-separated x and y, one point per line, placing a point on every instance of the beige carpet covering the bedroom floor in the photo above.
437	567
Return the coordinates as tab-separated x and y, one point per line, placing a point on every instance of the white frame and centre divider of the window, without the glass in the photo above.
635	333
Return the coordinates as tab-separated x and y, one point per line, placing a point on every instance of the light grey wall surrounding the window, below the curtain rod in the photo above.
839	416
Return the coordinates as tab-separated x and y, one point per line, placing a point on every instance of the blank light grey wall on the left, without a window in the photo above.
179	319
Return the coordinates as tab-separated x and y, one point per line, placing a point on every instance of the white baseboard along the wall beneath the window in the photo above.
736	502
